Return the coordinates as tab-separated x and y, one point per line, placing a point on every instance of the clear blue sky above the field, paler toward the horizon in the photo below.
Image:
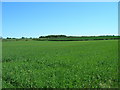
34	19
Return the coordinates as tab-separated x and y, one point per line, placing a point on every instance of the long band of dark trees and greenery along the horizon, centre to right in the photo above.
73	38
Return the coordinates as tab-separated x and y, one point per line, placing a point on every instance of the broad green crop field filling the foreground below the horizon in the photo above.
60	64
